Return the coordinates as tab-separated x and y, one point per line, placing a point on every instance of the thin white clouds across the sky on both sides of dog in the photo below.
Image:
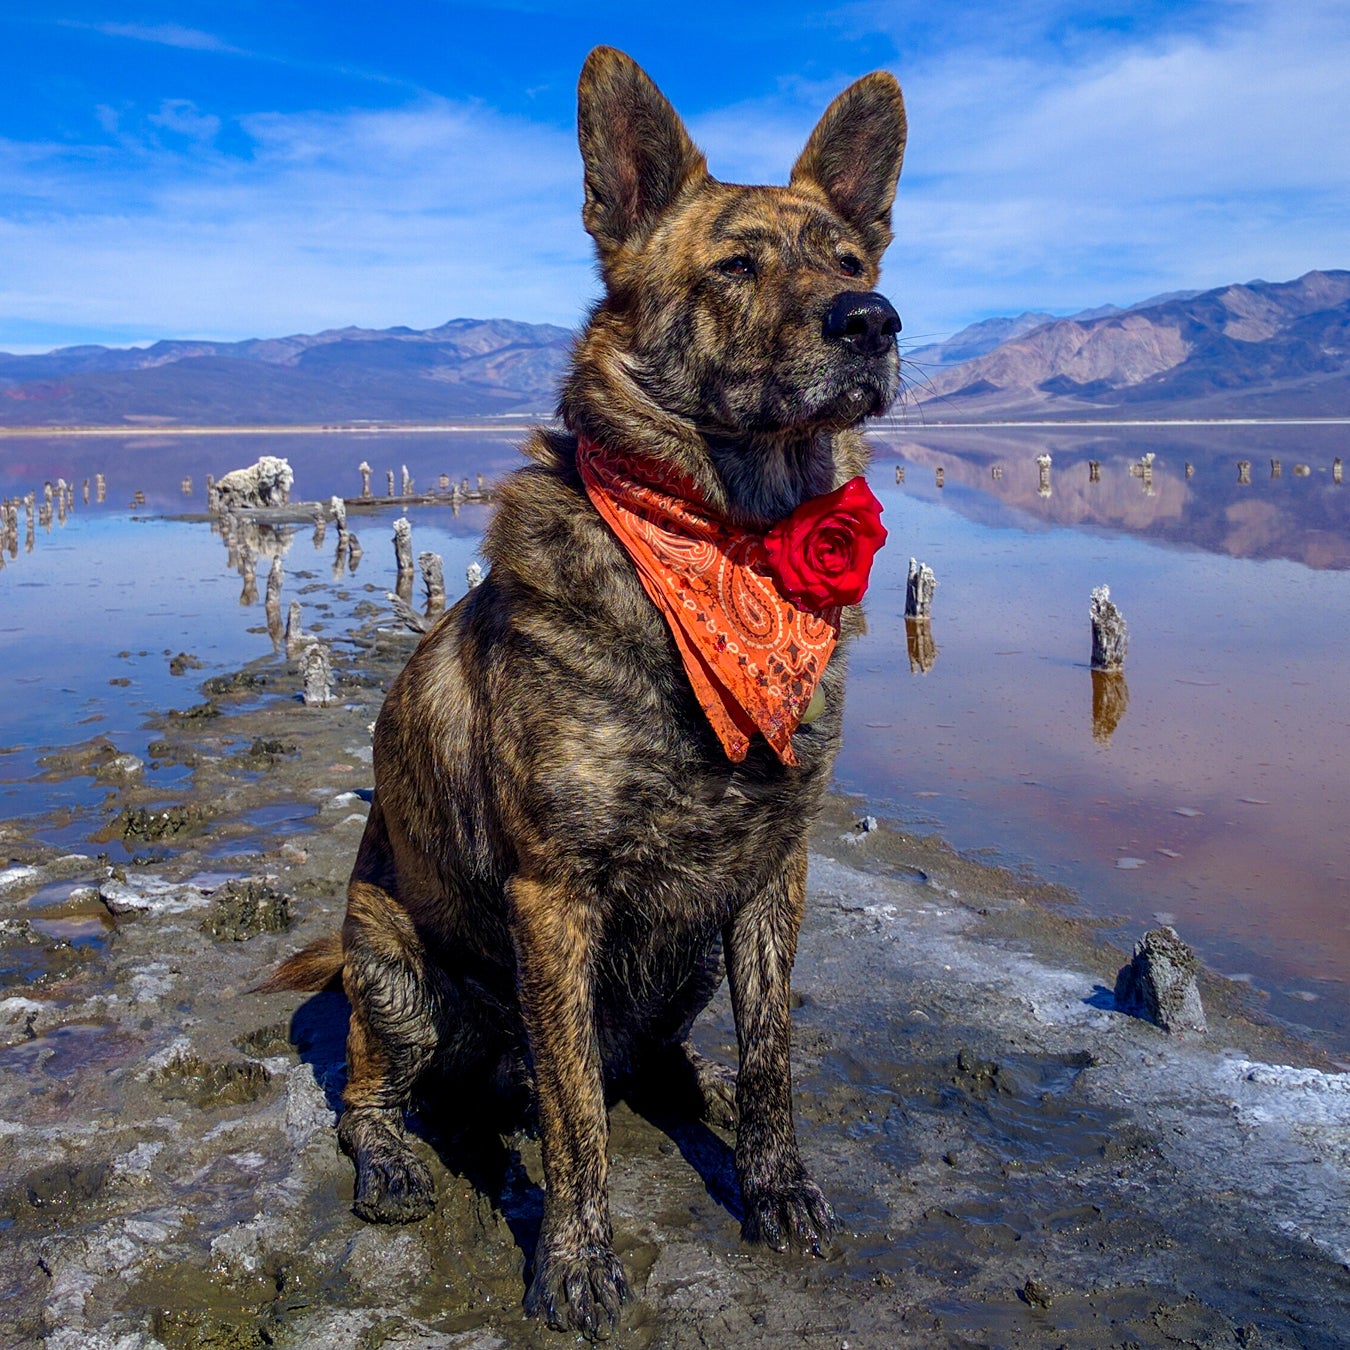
1037	176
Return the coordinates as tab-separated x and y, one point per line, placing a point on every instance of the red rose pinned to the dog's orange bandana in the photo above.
823	554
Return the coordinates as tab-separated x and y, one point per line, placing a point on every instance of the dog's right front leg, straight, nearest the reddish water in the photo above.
784	1206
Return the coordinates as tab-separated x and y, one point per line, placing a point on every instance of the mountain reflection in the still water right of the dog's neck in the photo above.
1289	507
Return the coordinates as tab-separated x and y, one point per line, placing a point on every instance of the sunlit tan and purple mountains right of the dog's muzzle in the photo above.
1260	350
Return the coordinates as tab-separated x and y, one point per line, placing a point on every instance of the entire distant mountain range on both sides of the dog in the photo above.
1253	350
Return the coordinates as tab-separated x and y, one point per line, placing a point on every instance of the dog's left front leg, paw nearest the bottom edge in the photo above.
578	1283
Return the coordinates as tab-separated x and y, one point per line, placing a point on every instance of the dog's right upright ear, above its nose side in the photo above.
855	156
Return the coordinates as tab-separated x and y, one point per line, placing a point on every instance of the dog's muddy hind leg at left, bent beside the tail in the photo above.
396	1012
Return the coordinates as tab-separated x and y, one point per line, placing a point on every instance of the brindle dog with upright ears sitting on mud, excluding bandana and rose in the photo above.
560	853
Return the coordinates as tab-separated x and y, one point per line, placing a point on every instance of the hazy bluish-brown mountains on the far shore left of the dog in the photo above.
465	368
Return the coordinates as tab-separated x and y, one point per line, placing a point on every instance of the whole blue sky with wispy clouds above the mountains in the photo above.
254	168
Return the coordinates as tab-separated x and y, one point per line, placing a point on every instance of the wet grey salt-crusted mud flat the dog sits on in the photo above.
1016	1163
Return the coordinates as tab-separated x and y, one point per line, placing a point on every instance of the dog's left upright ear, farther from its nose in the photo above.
638	153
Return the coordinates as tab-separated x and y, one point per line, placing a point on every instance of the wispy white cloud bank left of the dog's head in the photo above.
408	217
